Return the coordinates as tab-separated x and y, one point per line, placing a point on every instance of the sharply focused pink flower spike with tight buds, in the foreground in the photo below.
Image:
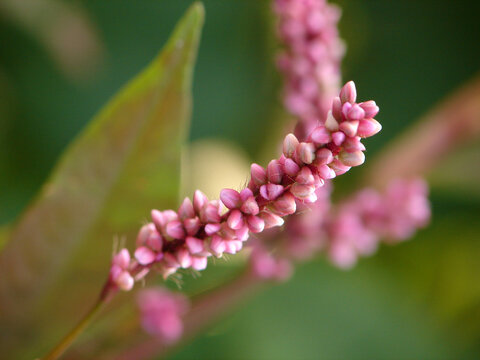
202	228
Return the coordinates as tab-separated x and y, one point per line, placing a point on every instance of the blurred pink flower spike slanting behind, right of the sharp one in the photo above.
347	231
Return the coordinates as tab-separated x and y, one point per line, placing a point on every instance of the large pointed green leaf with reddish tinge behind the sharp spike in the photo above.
125	162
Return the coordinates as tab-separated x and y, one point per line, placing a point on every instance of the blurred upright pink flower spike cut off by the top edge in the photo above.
310	61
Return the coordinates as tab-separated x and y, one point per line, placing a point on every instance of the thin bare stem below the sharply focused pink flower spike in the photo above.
68	340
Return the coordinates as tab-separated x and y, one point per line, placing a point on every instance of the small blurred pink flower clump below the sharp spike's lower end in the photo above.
161	313
